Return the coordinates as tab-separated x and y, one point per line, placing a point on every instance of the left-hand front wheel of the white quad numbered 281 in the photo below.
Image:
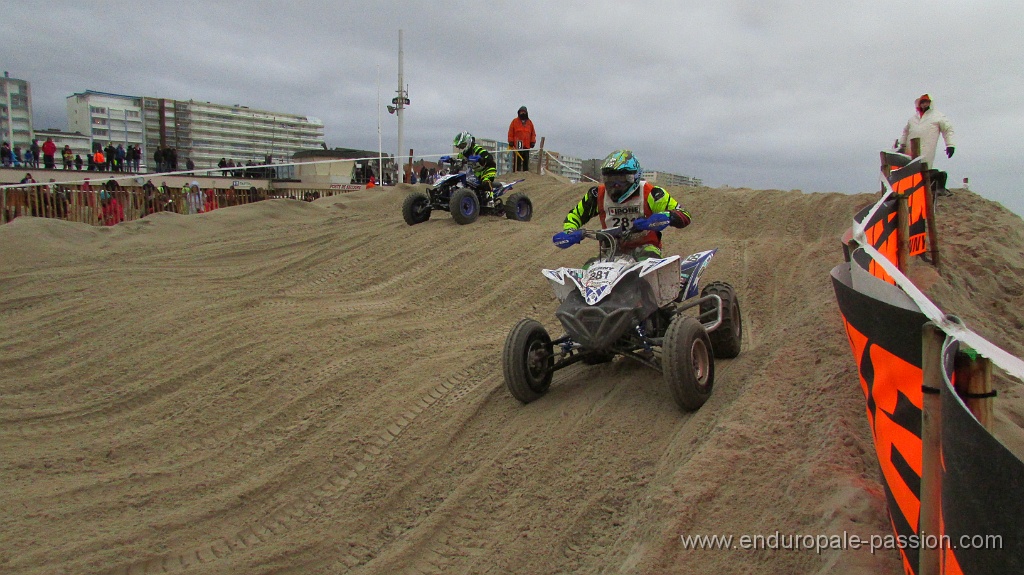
527	361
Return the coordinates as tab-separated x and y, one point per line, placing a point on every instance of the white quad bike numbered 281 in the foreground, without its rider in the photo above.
619	306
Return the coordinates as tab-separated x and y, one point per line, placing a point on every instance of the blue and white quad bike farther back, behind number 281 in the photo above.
460	194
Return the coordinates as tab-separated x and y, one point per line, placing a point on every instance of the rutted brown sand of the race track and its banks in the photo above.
316	388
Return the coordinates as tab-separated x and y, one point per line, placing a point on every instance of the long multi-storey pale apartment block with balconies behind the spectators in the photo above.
203	131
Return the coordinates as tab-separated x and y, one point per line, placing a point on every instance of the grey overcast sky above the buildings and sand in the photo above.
749	95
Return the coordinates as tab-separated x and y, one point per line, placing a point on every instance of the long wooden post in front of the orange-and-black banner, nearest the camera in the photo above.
931	444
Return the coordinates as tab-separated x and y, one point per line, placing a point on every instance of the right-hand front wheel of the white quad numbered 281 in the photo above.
688	363
